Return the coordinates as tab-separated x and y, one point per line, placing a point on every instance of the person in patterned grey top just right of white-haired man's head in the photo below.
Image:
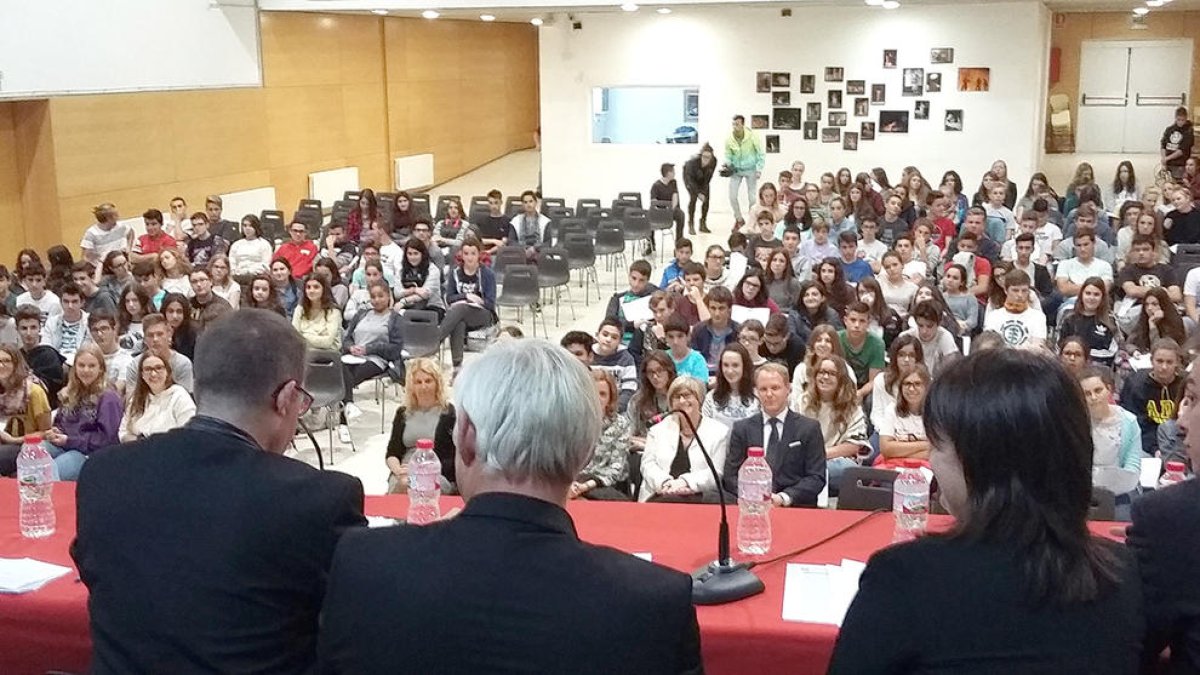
609	465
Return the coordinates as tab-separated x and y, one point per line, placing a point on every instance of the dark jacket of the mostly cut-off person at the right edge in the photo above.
1167	542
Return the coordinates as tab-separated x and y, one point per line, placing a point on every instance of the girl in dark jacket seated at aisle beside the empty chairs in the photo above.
471	300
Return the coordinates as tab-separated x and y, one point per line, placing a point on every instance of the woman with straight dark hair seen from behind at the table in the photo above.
1018	584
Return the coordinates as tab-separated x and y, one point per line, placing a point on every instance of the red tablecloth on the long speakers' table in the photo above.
49	629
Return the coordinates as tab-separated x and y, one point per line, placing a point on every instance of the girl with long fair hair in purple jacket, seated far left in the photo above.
89	417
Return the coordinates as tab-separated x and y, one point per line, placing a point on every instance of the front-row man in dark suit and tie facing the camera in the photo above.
794	444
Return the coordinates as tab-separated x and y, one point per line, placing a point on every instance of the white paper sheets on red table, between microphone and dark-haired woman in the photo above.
821	594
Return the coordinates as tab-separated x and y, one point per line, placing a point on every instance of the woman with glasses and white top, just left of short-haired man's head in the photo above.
158	404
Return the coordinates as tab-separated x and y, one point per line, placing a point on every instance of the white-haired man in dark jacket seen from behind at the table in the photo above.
507	586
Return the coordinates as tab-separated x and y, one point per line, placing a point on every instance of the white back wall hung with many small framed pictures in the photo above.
721	50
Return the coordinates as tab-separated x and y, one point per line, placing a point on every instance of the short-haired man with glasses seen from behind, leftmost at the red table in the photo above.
205	549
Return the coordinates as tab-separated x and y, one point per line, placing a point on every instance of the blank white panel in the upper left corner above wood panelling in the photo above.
51	47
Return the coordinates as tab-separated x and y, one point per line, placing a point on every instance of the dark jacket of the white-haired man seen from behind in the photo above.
506	587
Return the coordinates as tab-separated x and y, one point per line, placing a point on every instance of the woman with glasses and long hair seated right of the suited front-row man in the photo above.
831	399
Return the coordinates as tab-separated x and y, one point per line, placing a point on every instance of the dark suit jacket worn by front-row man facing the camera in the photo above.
800	470
